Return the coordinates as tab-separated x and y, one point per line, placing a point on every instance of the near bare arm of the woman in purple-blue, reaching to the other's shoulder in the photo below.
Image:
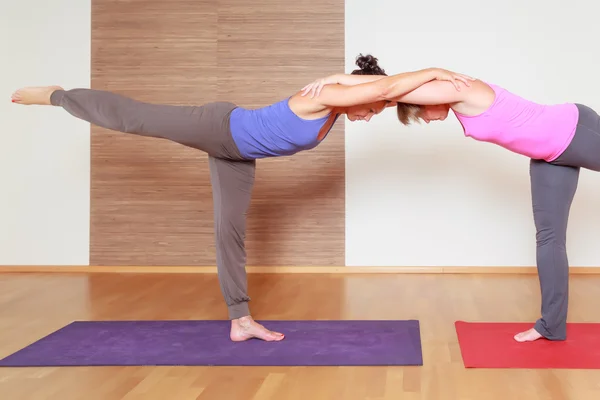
387	88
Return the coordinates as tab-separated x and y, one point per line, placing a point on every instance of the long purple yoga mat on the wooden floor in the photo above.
307	343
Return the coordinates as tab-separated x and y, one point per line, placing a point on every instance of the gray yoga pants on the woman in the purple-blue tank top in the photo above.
204	128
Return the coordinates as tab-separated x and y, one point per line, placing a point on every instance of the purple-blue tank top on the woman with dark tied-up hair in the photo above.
273	131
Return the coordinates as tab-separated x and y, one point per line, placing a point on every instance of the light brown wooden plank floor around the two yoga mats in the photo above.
32	306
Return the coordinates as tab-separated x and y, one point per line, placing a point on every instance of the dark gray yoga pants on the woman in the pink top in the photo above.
553	187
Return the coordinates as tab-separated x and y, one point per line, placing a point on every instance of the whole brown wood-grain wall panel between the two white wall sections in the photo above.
151	200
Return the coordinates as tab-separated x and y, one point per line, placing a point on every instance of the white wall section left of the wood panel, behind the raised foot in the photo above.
44	152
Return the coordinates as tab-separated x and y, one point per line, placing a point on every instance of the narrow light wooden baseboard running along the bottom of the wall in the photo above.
283	270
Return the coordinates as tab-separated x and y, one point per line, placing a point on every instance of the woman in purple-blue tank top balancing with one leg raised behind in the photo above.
232	154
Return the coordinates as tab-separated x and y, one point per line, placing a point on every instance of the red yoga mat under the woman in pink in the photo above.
491	345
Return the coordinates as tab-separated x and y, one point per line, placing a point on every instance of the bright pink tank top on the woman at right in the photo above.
537	131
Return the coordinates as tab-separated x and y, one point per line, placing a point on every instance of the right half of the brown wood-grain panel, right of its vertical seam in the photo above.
268	50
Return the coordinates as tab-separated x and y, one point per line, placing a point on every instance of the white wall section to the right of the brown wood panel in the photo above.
426	195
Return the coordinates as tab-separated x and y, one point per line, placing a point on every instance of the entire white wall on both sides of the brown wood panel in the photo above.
416	196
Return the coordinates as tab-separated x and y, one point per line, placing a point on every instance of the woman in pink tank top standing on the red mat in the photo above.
559	139
